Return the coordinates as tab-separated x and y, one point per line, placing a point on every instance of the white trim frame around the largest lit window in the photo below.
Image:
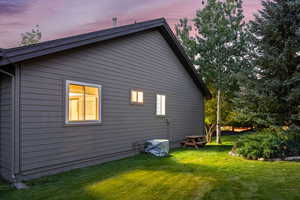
67	122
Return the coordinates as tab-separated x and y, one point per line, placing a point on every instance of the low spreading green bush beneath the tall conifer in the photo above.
269	143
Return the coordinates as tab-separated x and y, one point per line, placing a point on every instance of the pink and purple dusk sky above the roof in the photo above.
62	18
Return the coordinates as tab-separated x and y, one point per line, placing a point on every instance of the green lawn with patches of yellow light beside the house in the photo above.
207	173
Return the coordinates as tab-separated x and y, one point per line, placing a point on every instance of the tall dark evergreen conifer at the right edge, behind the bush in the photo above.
270	89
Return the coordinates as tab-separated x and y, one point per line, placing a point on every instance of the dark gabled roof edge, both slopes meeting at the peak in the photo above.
14	55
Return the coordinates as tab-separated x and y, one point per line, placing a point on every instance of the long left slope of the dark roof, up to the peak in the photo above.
49	47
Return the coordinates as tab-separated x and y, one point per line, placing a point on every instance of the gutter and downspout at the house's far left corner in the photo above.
2	55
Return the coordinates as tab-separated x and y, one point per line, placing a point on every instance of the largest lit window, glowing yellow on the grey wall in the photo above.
83	102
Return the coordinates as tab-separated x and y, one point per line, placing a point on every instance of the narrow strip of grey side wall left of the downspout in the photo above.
5	126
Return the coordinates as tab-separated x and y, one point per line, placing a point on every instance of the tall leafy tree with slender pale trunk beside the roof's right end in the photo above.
218	48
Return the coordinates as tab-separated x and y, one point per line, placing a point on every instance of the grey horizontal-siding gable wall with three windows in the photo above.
142	61
